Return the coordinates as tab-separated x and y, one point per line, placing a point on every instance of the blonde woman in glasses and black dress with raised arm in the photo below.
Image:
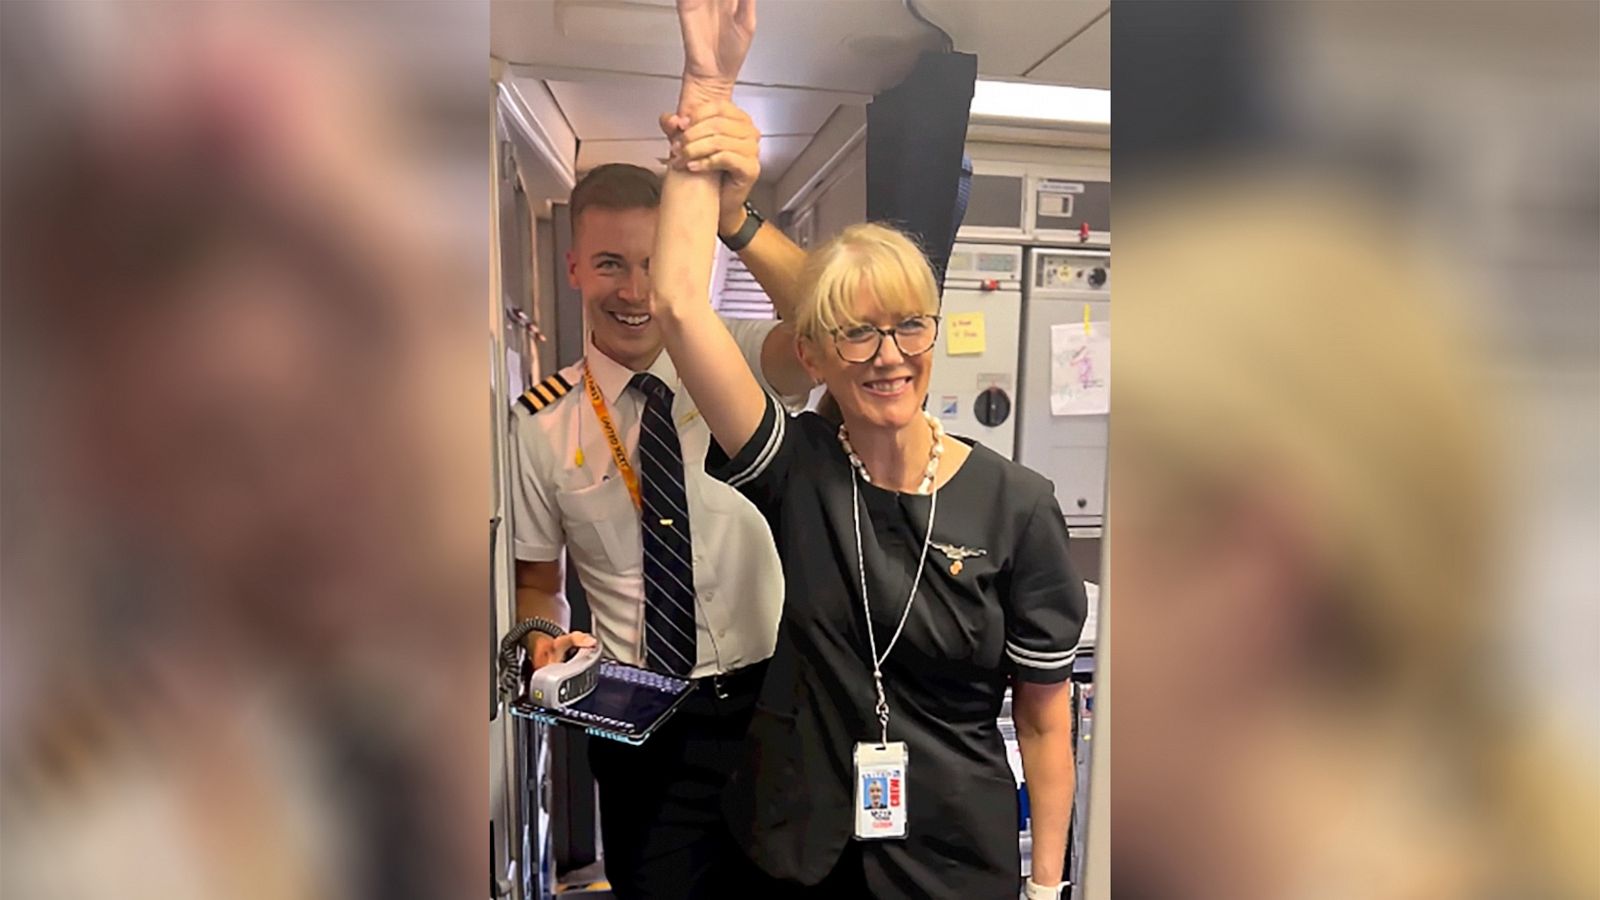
924	574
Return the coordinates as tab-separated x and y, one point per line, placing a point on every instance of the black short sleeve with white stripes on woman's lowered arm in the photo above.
1046	601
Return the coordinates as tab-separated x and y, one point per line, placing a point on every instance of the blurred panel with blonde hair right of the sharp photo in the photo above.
1356	459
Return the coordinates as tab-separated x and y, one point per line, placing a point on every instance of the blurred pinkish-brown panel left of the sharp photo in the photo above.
246	468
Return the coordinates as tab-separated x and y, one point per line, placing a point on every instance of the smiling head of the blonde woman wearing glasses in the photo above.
868	281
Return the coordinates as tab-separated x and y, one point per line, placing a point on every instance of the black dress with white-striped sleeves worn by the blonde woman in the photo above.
1014	613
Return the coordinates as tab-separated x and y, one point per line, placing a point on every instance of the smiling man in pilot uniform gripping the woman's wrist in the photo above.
679	569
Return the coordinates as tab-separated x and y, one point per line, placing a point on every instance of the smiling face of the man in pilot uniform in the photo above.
610	268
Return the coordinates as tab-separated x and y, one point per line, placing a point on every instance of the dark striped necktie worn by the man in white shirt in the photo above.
670	573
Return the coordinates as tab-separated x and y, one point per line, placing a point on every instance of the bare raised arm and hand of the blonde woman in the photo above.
716	38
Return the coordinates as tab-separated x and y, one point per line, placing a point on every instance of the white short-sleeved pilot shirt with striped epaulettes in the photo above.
586	510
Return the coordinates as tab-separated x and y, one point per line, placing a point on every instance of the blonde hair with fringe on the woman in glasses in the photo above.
863	259
